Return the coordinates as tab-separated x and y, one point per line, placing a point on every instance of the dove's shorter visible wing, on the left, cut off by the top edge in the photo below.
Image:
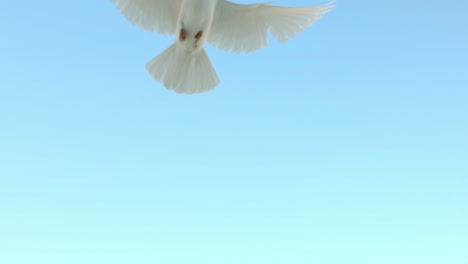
152	15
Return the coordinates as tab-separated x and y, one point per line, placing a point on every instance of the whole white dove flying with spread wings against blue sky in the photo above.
185	67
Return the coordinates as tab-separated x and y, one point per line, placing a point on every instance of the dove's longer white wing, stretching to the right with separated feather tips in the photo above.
244	28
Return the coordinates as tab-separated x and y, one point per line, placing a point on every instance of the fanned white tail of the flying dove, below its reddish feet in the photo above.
183	71
